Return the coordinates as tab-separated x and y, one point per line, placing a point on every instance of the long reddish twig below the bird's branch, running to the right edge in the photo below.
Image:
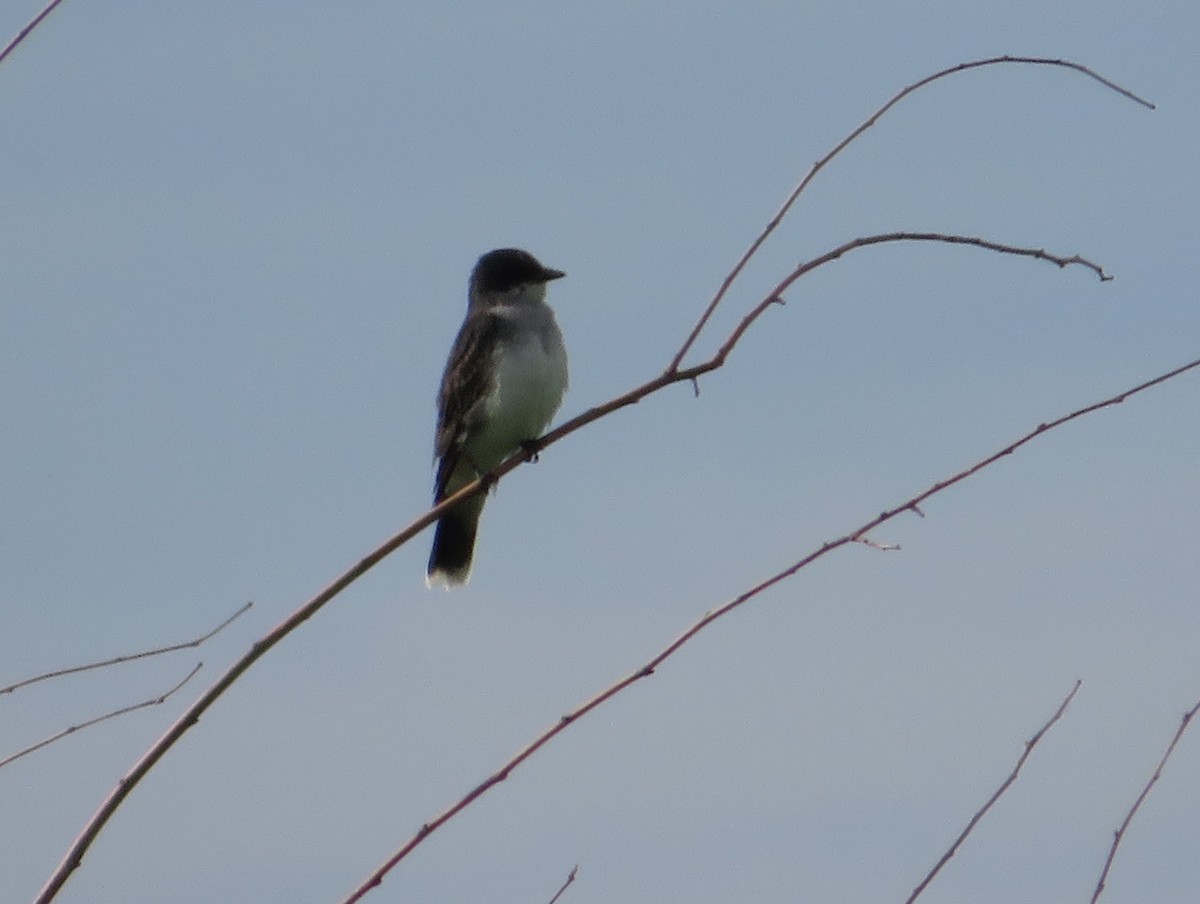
856	536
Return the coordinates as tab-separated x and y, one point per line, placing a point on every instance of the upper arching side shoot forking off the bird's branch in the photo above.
723	290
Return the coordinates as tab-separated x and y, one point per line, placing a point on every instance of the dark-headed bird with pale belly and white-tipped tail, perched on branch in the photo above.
503	384
